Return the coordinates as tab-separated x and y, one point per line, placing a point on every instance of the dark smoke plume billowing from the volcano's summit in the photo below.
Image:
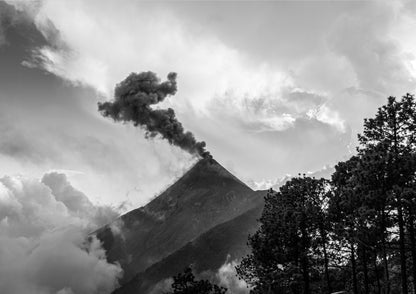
133	100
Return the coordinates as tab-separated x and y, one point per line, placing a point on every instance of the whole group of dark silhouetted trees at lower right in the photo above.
354	232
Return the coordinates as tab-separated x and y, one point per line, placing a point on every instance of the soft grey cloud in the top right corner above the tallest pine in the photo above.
377	57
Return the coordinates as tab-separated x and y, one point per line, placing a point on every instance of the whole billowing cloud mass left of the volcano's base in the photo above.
44	244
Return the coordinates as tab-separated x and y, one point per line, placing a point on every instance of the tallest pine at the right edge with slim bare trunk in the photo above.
391	136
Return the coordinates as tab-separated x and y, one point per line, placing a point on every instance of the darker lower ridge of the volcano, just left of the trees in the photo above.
208	252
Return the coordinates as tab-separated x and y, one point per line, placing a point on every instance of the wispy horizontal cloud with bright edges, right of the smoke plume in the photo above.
276	111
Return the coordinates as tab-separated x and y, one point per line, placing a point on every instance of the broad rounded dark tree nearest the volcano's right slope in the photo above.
291	245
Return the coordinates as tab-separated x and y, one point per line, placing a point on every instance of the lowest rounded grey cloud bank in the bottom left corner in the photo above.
60	261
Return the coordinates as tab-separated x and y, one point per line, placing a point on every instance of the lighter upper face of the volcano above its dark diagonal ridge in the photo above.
206	196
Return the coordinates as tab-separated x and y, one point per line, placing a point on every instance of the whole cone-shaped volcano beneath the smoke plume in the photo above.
207	213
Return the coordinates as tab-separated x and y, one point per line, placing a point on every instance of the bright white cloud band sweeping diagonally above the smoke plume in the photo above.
106	41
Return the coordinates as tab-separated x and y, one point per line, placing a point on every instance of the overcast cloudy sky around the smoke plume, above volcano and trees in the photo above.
273	87
